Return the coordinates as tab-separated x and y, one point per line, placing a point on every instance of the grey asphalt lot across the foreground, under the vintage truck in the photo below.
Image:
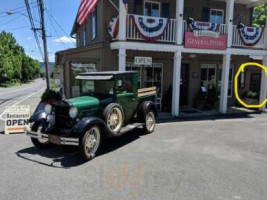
202	160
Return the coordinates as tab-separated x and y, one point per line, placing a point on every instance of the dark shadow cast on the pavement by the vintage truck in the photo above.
67	157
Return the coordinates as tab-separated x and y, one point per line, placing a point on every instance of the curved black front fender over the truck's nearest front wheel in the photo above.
87	122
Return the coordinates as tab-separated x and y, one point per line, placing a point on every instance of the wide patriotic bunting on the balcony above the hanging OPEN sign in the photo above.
150	28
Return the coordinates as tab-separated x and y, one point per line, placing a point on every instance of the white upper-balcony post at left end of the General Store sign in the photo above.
180	21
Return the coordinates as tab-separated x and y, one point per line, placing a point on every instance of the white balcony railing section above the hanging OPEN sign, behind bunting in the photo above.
169	34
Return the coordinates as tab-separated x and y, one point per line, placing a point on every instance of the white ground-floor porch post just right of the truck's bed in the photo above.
176	84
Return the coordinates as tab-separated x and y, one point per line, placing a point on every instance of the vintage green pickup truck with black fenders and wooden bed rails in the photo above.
109	105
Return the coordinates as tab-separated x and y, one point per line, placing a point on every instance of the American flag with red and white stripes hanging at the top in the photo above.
86	9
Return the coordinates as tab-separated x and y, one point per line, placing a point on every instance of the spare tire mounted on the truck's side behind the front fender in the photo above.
106	115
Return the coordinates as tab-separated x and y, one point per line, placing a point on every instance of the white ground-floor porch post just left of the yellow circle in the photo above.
225	83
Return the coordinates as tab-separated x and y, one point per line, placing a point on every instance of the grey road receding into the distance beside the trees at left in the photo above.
14	95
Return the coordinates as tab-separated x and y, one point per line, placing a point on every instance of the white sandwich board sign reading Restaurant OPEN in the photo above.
17	119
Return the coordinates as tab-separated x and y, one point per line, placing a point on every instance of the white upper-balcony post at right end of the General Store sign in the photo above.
229	21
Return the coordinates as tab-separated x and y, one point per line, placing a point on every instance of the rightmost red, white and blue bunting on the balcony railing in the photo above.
250	36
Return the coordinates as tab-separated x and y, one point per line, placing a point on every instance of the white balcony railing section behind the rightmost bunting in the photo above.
237	42
